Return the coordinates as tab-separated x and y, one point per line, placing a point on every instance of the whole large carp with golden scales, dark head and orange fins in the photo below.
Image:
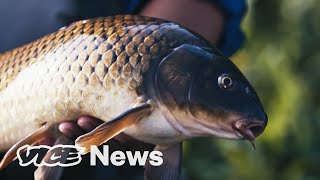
151	79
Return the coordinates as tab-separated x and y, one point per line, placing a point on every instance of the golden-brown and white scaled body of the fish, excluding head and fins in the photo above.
93	67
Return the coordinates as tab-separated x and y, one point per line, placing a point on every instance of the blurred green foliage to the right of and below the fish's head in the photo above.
282	60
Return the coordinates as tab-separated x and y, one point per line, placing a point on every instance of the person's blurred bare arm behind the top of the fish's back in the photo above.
201	16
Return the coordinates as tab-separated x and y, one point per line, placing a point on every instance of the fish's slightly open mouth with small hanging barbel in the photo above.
249	129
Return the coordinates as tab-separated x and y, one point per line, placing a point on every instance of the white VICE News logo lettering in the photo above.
69	155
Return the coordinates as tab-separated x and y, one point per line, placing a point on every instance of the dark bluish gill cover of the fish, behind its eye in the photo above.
176	72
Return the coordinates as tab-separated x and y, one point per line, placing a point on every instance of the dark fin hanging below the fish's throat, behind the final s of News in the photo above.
170	169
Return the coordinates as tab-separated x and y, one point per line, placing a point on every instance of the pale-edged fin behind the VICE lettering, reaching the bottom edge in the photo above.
54	172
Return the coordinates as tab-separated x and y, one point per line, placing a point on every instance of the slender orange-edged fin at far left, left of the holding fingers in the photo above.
31	139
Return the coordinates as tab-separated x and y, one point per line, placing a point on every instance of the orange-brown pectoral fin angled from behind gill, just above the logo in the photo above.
109	129
